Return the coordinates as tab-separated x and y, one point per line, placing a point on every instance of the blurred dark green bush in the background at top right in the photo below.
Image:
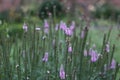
106	11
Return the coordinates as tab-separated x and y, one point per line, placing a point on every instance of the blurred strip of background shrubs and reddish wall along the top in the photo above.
18	10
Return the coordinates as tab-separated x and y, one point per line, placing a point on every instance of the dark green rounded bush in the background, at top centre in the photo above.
53	7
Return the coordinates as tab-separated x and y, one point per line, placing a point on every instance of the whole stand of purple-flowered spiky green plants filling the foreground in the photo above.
56	52
